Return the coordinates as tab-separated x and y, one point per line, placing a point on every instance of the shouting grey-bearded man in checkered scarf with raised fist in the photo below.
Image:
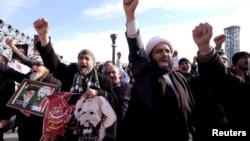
80	77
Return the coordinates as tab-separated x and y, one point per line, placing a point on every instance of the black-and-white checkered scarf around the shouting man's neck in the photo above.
80	84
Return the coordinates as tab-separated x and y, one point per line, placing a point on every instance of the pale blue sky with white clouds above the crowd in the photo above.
79	24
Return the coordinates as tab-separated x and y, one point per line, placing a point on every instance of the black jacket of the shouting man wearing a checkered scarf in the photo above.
66	74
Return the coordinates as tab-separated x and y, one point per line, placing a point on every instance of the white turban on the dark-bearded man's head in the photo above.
155	41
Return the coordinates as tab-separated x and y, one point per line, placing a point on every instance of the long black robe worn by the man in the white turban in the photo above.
149	116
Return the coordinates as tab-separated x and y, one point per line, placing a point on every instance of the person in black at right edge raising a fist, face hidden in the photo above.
232	93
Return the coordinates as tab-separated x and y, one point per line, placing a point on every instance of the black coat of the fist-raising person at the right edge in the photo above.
232	92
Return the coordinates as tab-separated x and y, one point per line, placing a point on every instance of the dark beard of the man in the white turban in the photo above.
159	70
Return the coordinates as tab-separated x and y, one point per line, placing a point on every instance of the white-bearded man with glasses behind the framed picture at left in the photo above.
27	122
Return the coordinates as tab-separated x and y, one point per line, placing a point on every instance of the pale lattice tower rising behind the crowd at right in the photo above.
232	43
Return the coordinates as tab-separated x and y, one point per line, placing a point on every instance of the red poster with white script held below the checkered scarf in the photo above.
57	115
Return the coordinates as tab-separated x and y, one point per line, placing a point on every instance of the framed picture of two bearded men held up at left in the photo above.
31	96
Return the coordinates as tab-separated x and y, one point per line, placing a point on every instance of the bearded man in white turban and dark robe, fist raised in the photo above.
161	98
